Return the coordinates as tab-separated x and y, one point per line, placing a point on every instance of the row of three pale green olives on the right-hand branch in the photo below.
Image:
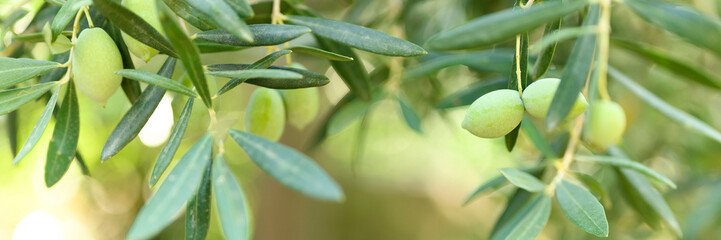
497	113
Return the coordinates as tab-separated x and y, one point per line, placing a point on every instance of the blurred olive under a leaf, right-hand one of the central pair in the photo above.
301	106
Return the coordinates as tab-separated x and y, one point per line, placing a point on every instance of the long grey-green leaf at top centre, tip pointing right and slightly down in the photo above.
359	37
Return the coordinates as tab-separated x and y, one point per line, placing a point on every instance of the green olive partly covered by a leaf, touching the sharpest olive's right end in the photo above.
537	98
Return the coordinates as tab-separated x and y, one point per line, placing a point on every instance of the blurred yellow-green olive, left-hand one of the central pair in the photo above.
265	115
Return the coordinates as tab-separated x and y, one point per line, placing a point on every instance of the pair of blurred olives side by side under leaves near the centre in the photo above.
268	110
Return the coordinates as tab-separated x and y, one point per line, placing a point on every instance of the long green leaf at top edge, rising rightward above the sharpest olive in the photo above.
500	26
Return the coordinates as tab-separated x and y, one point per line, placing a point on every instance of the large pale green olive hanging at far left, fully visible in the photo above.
95	60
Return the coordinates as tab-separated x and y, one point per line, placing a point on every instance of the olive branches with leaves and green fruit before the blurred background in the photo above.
580	121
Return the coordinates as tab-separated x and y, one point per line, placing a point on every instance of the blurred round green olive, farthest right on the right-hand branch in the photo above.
607	124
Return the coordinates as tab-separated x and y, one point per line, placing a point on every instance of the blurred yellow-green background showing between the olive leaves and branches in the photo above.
404	185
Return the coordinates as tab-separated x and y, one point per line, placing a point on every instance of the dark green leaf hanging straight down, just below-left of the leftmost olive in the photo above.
62	147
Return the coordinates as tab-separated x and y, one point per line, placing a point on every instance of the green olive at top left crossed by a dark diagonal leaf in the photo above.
146	10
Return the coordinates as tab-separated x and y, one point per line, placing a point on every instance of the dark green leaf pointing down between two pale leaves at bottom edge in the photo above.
197	213
